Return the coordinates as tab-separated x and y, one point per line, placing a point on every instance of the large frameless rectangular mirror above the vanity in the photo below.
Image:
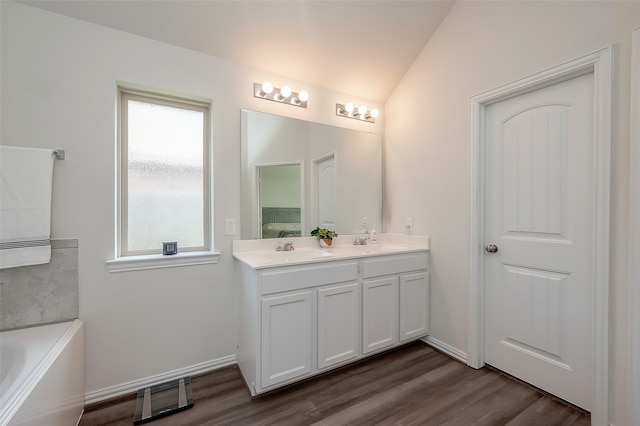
297	175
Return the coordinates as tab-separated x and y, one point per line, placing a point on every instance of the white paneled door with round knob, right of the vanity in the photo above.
539	238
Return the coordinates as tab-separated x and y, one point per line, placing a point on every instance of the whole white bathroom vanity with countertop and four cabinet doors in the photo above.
310	310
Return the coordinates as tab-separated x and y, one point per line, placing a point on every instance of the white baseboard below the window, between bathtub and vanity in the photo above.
132	387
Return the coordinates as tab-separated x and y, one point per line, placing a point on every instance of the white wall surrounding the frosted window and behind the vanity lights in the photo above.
58	84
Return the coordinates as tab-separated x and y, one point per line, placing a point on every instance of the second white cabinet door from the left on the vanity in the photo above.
338	324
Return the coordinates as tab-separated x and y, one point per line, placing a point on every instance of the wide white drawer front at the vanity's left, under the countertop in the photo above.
305	276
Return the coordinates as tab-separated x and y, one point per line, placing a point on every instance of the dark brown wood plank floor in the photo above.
413	385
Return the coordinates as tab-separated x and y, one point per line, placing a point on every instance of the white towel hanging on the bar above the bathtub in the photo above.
25	206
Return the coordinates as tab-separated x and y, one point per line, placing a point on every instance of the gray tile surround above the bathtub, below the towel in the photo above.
41	294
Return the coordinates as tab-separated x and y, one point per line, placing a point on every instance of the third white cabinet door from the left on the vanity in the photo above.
379	314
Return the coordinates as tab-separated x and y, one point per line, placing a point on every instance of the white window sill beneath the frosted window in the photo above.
155	261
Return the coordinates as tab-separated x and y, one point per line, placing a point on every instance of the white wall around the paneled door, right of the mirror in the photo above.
479	46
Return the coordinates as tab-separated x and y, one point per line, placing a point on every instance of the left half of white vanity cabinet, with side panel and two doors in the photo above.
296	321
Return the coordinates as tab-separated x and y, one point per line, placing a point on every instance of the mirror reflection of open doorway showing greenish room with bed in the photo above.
280	200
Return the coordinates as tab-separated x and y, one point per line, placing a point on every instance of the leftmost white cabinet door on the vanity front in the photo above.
286	337
